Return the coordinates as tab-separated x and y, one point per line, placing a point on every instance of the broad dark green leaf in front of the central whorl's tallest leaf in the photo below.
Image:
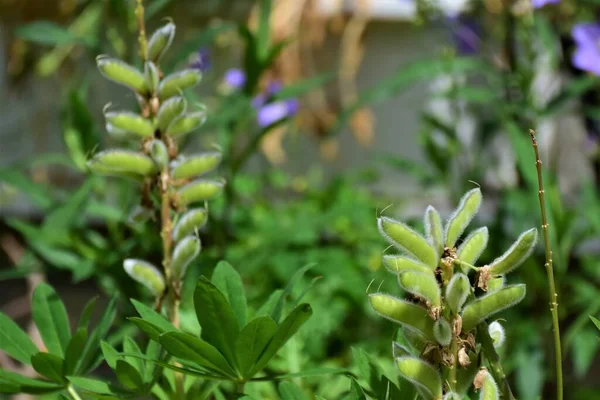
216	317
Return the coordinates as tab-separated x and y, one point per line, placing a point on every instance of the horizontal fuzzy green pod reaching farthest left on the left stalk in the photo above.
122	163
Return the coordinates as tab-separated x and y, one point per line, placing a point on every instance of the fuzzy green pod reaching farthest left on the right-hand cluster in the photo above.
404	313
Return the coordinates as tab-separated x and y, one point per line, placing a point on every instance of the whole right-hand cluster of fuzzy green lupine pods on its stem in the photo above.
451	348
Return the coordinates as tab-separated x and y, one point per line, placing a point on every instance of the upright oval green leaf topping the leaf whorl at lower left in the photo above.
50	316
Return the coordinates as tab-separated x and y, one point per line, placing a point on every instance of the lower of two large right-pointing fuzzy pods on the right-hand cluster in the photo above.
488	305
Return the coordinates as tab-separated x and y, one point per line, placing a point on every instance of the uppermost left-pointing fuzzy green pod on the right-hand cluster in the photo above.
407	239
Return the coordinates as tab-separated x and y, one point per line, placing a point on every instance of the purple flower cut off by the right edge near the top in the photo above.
587	52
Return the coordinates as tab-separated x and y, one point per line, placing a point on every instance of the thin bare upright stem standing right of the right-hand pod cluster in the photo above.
549	271
